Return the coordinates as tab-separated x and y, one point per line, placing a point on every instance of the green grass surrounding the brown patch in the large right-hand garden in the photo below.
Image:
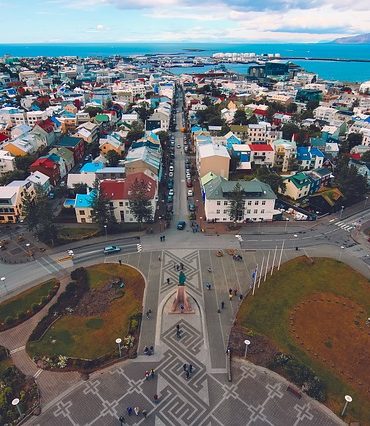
268	313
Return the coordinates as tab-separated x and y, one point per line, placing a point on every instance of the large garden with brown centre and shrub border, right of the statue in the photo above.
308	322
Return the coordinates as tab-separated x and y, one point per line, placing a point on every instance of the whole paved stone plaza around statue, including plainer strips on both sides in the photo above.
254	397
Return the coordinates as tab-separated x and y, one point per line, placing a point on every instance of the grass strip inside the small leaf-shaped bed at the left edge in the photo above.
21	303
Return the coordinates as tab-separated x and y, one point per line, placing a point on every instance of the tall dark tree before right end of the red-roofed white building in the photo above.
140	205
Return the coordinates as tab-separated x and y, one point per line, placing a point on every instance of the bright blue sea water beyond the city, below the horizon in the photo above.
346	71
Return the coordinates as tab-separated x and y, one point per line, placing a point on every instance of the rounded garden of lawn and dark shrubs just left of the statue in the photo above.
102	302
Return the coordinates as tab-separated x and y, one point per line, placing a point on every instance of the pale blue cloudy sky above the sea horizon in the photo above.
100	21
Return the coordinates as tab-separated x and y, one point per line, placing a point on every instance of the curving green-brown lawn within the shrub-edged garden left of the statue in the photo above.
90	337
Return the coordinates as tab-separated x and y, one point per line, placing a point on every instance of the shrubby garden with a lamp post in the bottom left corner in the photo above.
14	384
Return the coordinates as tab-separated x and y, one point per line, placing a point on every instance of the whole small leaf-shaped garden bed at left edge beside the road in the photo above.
19	308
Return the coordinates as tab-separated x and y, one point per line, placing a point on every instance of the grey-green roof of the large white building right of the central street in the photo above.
220	188
